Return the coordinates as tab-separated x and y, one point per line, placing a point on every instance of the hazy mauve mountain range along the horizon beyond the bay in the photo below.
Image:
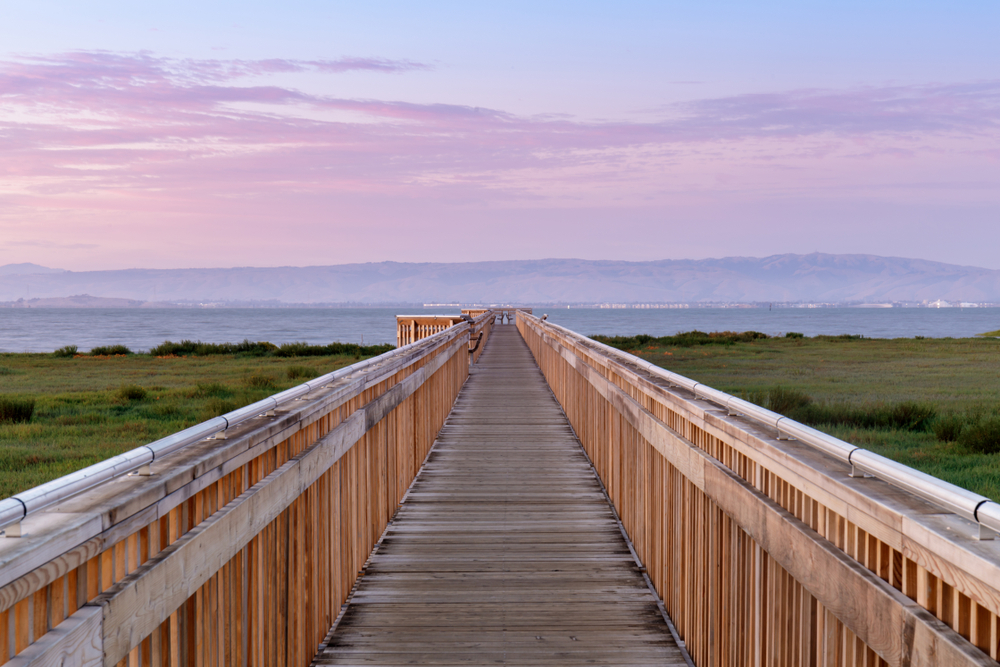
779	278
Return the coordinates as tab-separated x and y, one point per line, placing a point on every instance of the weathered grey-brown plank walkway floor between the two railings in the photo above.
505	551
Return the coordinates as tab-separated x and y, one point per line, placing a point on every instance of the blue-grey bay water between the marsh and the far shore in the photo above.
43	330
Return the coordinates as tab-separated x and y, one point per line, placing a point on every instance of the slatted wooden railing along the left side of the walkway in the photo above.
232	552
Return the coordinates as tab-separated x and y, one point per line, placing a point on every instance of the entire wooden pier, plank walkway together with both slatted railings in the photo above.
499	495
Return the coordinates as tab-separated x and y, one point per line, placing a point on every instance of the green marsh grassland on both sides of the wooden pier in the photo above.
895	397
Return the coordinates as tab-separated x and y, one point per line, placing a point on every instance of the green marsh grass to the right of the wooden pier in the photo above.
852	387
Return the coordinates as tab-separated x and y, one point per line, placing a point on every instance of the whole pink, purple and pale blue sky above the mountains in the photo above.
222	134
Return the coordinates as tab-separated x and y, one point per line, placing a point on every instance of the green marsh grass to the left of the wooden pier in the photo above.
88	408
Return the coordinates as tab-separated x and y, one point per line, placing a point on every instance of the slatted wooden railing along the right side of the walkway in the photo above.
767	552
